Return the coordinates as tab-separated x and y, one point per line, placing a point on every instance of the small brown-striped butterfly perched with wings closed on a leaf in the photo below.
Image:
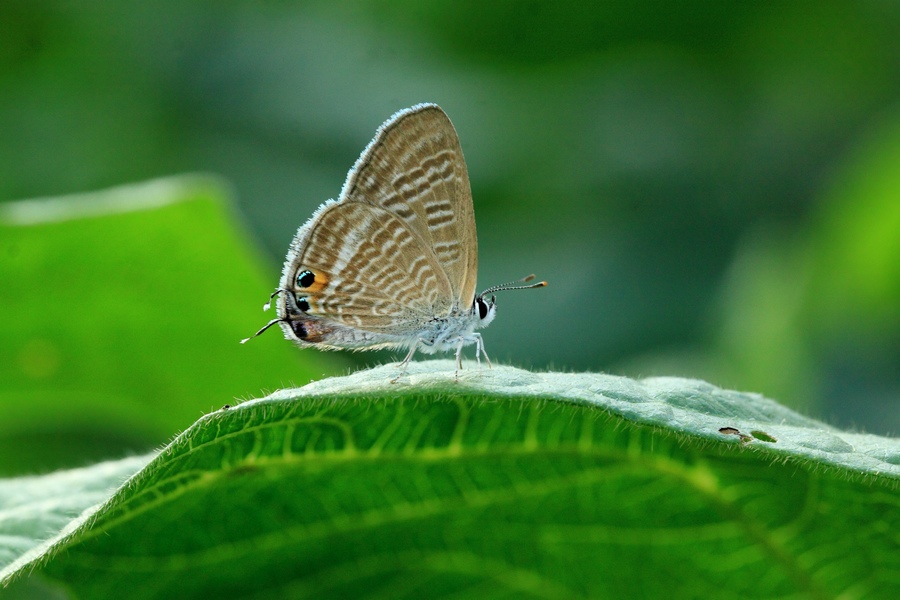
393	262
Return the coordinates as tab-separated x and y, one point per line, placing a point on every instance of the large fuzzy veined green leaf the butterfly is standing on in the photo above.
507	483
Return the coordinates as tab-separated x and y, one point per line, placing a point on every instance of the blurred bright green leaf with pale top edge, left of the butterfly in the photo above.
122	315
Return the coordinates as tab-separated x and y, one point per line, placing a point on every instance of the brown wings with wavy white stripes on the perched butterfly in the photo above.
399	246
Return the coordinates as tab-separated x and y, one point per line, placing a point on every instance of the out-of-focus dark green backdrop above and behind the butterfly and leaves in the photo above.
712	189
